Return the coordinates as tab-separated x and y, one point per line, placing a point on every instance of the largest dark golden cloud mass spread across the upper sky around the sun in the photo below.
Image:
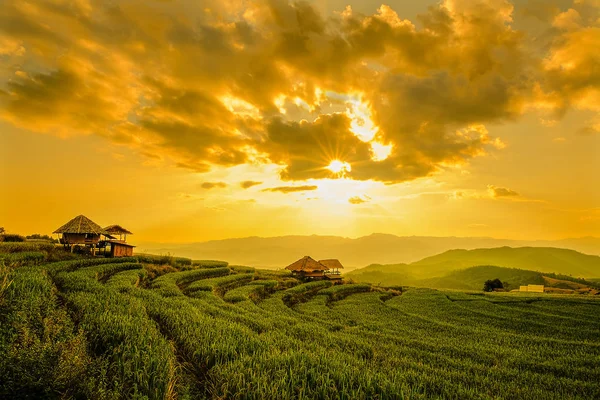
280	83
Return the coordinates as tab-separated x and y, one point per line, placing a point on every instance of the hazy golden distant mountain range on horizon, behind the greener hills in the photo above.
278	252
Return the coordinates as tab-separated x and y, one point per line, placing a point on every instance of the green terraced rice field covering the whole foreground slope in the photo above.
121	328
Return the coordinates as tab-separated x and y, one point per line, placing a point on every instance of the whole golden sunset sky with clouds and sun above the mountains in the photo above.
197	120
